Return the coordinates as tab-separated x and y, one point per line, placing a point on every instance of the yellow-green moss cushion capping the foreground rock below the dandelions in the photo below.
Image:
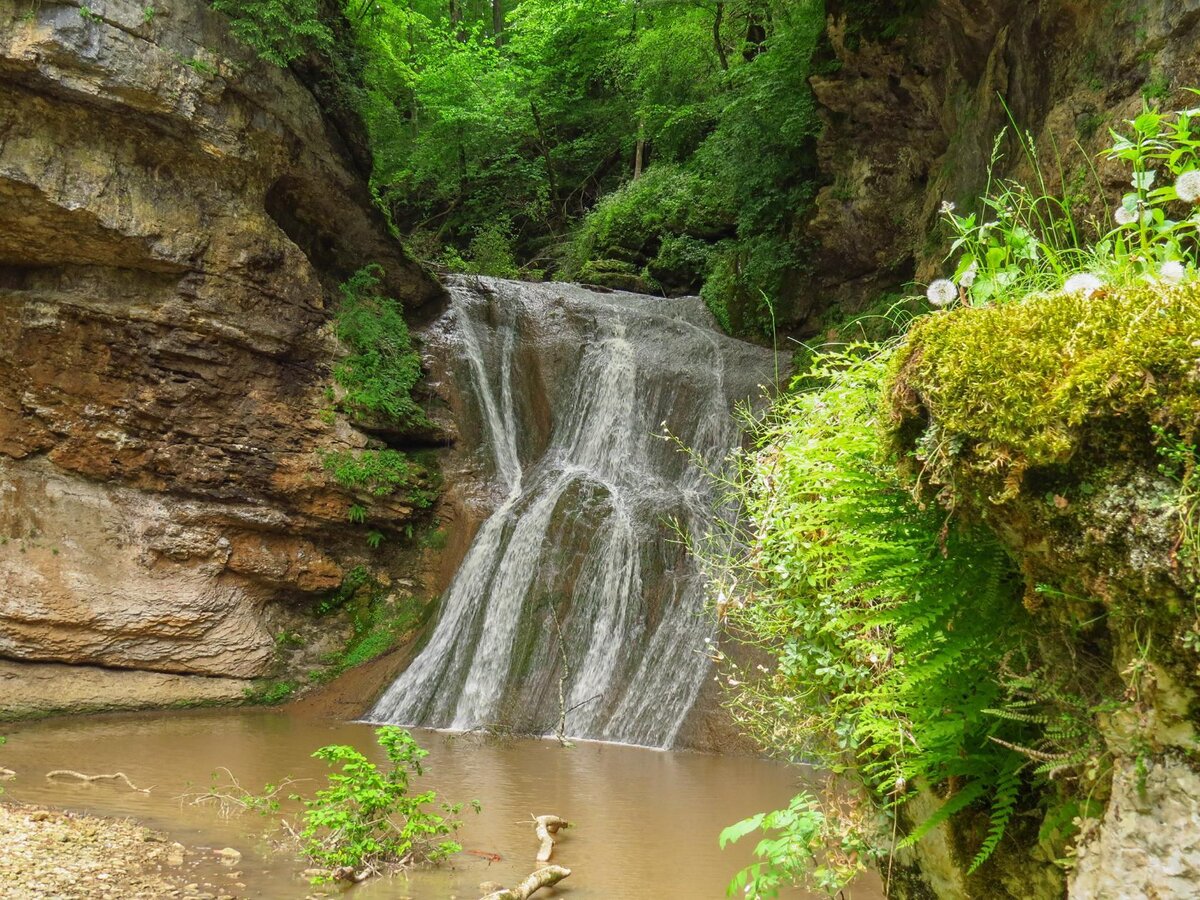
1021	386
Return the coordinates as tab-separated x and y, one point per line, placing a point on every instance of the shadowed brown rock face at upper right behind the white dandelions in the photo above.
911	121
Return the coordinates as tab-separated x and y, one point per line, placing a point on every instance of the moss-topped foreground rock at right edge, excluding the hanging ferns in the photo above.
1070	427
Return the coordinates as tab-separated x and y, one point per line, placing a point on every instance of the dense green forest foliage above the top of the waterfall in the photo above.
658	146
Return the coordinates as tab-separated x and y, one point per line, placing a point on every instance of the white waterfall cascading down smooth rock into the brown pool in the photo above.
583	561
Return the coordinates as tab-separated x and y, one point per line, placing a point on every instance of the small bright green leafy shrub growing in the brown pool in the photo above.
368	818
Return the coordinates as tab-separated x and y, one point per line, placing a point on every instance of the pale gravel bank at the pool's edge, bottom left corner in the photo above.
63	856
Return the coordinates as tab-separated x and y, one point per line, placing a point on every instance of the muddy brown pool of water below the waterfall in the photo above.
646	821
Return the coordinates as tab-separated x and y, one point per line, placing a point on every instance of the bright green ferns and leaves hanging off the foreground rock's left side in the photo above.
893	626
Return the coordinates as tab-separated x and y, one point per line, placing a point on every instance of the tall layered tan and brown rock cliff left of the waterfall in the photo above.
175	217
